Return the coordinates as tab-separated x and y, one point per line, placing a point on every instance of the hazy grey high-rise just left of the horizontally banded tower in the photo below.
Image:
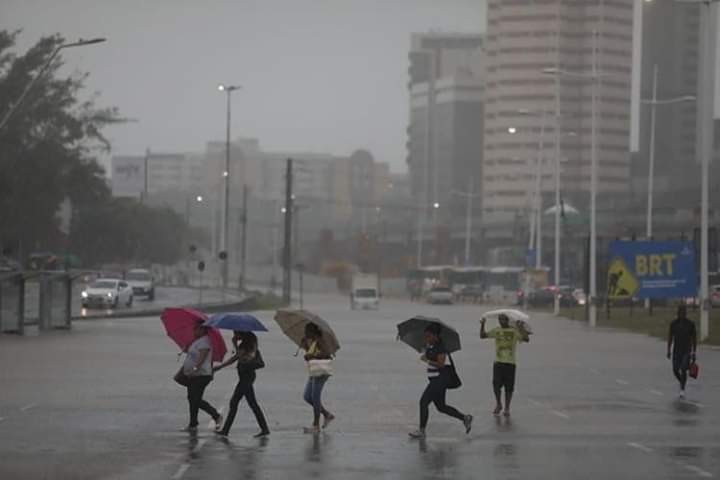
445	132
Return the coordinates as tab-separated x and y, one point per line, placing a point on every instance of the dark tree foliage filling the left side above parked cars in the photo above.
48	153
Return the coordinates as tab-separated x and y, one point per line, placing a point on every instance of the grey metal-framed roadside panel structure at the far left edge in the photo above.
43	299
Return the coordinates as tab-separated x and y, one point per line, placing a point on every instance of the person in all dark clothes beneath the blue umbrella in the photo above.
248	359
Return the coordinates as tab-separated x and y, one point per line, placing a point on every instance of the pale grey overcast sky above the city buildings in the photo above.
320	75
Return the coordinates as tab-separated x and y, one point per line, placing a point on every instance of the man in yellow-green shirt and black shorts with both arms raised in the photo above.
504	368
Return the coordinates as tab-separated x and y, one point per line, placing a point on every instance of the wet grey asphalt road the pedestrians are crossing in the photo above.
98	402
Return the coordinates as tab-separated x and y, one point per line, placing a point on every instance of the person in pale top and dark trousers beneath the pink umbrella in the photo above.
198	368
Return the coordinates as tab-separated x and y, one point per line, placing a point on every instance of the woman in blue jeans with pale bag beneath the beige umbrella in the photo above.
319	370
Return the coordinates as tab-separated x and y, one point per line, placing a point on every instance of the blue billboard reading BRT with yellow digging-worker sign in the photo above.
640	269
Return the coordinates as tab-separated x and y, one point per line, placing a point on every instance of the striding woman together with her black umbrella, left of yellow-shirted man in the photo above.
435	355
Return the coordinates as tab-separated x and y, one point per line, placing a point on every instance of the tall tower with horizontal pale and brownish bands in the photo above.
524	39
